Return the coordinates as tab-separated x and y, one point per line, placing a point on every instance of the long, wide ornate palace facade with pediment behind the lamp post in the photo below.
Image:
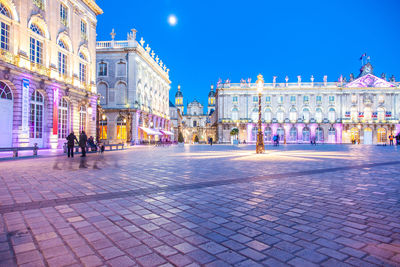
363	110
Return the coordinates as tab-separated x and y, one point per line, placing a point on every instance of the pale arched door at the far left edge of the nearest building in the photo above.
6	117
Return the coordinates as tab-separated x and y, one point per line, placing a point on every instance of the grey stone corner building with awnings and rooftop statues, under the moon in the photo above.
133	84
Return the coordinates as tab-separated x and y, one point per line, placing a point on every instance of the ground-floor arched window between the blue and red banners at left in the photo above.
36	116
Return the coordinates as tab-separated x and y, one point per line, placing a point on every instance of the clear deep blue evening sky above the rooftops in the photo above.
239	39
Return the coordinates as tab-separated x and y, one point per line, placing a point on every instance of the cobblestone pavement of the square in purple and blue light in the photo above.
204	206
